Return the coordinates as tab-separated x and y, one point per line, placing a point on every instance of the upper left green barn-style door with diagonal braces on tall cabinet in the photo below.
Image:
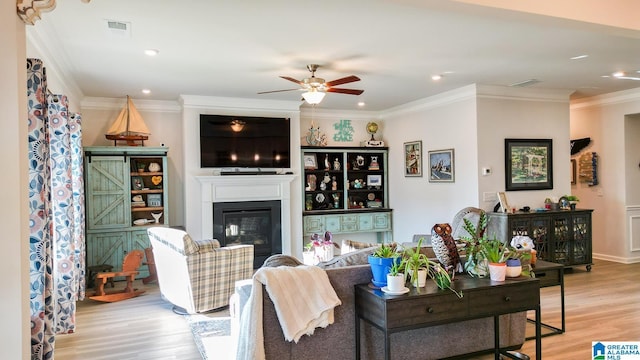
107	192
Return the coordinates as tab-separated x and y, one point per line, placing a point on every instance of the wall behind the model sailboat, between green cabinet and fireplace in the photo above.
164	120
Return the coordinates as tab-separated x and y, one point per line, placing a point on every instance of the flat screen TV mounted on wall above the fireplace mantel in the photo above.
244	142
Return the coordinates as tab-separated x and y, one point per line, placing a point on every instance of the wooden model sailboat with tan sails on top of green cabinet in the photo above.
128	126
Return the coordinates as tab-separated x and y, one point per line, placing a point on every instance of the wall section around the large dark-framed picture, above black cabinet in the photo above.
523	113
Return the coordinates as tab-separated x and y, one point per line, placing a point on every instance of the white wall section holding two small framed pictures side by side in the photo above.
445	121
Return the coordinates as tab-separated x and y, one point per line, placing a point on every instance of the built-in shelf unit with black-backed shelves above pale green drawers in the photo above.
355	194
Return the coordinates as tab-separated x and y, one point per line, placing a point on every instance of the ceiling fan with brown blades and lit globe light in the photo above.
315	87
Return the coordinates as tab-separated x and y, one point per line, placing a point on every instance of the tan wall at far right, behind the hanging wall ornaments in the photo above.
602	119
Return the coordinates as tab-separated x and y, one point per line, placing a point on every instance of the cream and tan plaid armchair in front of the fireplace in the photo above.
197	276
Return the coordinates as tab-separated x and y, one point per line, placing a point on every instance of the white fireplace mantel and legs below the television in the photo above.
238	188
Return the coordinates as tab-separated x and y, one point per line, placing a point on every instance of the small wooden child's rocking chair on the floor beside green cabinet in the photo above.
130	266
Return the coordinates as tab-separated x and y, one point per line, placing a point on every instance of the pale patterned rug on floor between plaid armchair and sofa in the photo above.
212	336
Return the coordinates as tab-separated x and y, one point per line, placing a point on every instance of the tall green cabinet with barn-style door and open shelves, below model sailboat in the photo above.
115	176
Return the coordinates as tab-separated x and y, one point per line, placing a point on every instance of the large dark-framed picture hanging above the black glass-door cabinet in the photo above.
528	164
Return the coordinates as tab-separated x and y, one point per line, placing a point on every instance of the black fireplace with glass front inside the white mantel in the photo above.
256	223
